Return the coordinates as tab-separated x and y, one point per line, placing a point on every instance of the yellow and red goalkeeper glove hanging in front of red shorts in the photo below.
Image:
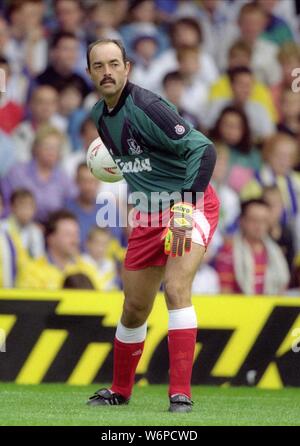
178	234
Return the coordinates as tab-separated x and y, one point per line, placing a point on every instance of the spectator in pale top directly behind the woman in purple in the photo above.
43	110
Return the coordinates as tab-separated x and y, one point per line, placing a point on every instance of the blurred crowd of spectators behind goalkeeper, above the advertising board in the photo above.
230	67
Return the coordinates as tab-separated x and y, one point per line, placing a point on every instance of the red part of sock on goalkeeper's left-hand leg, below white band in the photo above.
126	358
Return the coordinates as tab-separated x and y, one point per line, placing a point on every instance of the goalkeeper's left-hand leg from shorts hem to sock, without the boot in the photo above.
140	289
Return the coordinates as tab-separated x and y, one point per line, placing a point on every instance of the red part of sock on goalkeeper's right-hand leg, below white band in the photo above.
181	355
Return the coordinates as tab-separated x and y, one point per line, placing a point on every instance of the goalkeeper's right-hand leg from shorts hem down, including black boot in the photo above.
180	272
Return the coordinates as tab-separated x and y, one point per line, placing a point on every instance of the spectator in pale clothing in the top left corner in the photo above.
29	46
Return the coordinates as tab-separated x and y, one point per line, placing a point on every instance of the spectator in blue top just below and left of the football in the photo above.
85	206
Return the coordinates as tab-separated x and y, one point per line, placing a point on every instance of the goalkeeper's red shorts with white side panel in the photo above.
145	244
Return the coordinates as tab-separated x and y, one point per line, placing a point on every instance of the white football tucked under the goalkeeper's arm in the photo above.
101	164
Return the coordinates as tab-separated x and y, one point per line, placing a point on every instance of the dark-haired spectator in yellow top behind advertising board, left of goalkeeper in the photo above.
62	257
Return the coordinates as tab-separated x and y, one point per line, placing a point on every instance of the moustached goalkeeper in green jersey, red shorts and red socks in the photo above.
157	151
